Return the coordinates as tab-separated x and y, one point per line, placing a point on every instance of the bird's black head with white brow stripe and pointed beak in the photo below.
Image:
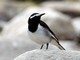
35	18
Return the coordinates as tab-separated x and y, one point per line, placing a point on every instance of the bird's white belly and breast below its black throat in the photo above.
41	36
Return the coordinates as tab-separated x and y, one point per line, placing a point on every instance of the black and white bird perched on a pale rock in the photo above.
39	31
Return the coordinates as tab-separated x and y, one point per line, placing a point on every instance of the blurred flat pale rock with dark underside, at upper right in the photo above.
70	8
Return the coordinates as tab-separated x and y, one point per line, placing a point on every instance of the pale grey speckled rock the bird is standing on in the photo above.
49	55
